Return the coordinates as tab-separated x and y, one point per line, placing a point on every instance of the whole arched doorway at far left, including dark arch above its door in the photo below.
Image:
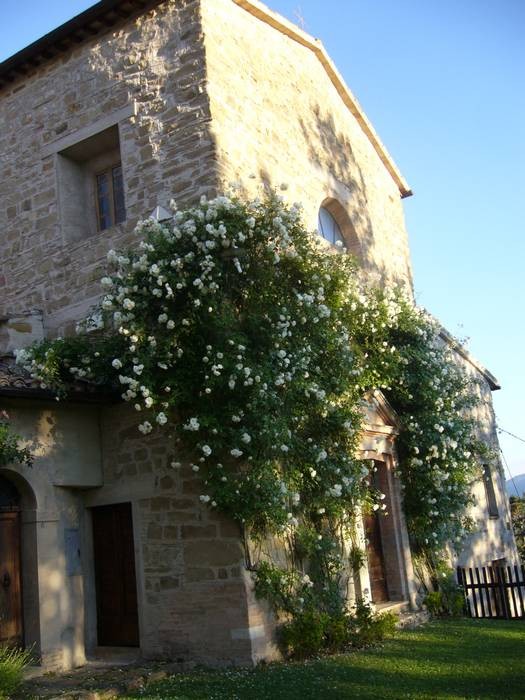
19	605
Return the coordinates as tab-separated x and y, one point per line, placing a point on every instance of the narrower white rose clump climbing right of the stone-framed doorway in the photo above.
438	447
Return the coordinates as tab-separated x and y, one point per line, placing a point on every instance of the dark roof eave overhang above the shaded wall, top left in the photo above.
94	21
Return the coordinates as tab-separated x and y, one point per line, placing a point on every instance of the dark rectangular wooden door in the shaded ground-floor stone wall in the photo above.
116	587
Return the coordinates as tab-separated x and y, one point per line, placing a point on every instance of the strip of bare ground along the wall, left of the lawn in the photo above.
96	681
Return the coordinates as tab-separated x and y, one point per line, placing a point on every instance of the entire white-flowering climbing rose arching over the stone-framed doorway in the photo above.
254	343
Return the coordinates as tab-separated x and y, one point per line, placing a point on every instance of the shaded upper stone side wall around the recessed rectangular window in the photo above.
154	66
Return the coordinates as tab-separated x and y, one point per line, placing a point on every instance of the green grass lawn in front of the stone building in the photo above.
451	659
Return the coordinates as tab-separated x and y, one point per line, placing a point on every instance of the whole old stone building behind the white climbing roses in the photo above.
133	102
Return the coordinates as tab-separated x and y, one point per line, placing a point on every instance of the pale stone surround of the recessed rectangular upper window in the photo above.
73	228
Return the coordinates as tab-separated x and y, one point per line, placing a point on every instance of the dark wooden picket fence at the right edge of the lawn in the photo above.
494	591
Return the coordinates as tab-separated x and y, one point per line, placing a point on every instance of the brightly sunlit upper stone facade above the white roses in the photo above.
277	116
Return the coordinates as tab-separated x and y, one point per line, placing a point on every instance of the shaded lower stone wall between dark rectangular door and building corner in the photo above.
192	587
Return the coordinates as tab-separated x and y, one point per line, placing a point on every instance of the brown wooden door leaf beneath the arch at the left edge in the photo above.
11	629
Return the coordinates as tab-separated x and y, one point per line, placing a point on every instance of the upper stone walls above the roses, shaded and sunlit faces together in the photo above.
189	123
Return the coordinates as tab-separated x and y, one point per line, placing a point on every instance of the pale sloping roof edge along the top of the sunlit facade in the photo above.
262	12
